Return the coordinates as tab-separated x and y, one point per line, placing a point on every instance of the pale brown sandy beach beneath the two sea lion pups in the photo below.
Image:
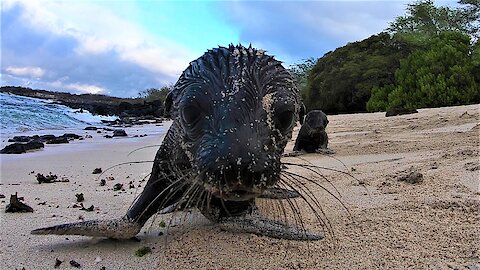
376	222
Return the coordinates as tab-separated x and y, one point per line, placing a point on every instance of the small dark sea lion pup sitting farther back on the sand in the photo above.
312	136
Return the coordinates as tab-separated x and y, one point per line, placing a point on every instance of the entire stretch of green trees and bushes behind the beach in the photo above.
428	58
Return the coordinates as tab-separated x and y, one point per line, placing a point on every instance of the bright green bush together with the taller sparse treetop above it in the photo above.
444	66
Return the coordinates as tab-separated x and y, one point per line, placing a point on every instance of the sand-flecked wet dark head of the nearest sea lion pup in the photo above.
236	107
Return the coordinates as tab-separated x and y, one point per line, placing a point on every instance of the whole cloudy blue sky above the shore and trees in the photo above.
122	47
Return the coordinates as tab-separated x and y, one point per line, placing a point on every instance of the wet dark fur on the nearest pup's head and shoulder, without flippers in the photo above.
219	122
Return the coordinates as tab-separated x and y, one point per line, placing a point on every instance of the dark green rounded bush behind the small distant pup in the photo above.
341	80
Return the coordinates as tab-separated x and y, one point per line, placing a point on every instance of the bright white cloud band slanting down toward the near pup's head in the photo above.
105	31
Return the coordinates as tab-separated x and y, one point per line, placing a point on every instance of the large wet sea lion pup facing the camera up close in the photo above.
233	111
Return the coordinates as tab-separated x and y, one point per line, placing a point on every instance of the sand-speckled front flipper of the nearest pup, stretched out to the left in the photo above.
122	228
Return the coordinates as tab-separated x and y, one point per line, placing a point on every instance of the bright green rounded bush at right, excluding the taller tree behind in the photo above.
442	75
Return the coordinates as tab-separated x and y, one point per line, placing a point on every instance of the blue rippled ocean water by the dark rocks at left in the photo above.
23	114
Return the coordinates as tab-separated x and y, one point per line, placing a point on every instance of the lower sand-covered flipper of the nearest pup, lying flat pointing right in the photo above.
266	227
